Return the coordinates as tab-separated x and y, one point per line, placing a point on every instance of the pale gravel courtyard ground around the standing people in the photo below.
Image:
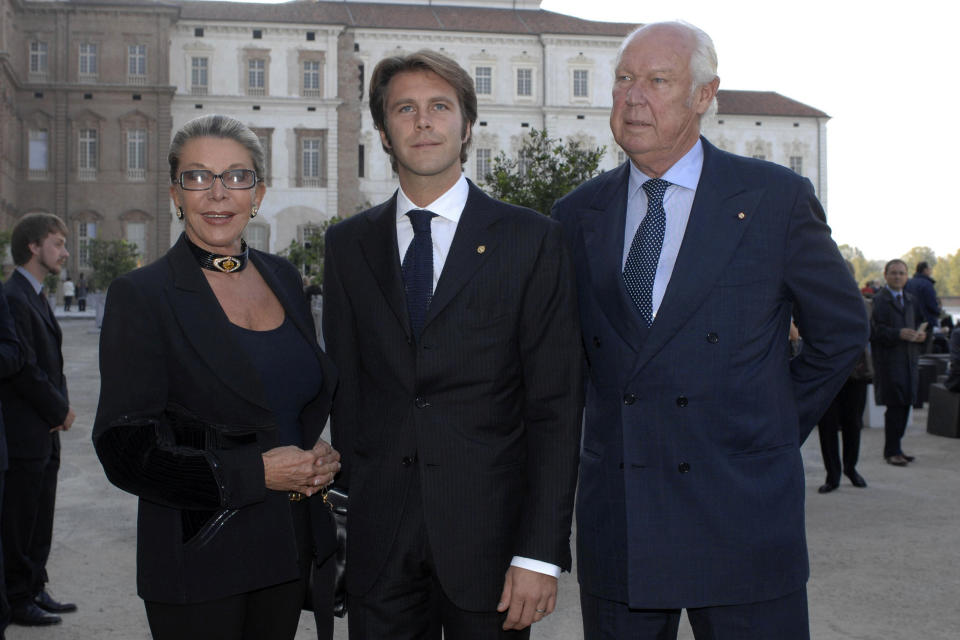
885	561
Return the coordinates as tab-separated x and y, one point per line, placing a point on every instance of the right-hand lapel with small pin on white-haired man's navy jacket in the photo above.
722	210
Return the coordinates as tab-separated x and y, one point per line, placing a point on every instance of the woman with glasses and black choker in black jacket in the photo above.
213	396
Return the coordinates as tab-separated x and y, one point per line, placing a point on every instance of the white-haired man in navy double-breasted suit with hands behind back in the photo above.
690	262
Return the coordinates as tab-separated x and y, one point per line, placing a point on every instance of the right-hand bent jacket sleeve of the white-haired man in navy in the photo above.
827	306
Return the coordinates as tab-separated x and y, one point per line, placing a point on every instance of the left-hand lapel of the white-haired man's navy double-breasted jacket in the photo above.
603	226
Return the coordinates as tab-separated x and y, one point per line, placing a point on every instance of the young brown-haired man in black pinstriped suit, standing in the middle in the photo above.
451	317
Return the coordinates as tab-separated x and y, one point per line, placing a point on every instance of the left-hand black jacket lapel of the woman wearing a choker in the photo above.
207	328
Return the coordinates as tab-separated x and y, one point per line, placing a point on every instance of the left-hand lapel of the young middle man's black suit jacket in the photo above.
379	246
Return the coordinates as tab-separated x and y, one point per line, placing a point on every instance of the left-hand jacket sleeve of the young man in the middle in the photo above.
340	340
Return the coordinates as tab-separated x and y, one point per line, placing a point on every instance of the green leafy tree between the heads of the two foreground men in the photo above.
545	170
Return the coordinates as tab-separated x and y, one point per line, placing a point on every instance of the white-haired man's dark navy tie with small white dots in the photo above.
641	267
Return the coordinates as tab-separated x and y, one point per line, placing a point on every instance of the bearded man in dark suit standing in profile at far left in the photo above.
35	410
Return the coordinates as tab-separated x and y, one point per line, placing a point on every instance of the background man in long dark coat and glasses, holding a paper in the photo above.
896	344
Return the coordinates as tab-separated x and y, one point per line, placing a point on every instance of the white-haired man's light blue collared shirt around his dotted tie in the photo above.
677	202
